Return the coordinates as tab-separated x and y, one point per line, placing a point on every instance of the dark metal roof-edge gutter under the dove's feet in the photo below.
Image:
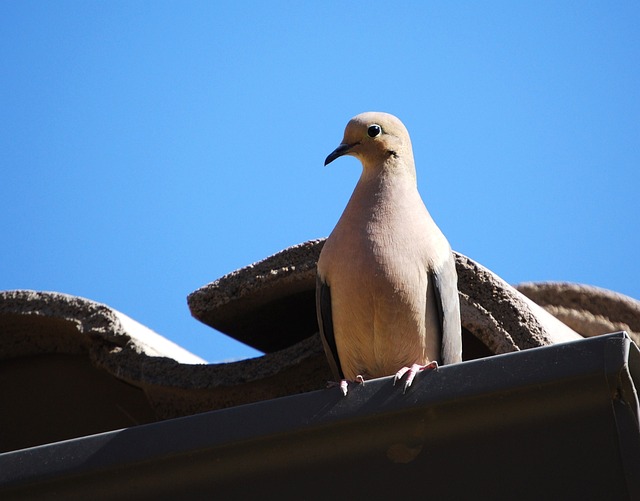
559	422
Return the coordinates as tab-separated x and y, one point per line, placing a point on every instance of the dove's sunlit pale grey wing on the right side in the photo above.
445	279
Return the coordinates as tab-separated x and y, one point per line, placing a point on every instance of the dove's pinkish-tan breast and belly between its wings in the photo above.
377	262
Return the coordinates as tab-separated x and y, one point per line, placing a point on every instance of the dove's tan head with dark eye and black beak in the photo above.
374	138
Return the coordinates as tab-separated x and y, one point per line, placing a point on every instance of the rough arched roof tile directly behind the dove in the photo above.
270	304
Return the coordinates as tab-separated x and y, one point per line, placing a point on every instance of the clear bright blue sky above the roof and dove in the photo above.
148	148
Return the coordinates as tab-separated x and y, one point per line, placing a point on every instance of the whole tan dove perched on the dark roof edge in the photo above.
386	288
